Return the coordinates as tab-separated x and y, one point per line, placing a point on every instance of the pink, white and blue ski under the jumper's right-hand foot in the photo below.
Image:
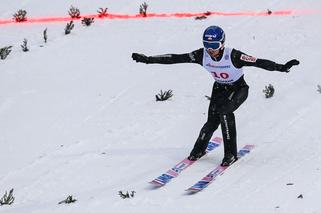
219	170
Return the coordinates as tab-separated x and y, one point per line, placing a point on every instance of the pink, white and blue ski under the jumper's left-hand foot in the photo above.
184	164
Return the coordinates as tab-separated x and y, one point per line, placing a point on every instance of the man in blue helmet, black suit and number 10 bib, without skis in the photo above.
229	90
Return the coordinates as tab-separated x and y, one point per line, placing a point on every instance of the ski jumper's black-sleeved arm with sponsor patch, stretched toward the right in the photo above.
241	59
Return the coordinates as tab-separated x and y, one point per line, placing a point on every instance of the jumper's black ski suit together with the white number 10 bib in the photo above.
229	90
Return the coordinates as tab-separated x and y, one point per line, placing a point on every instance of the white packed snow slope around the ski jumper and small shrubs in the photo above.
79	117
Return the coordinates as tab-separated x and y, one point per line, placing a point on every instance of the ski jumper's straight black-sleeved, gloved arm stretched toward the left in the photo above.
193	57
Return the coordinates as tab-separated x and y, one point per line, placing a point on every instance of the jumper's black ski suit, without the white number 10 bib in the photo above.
225	98
